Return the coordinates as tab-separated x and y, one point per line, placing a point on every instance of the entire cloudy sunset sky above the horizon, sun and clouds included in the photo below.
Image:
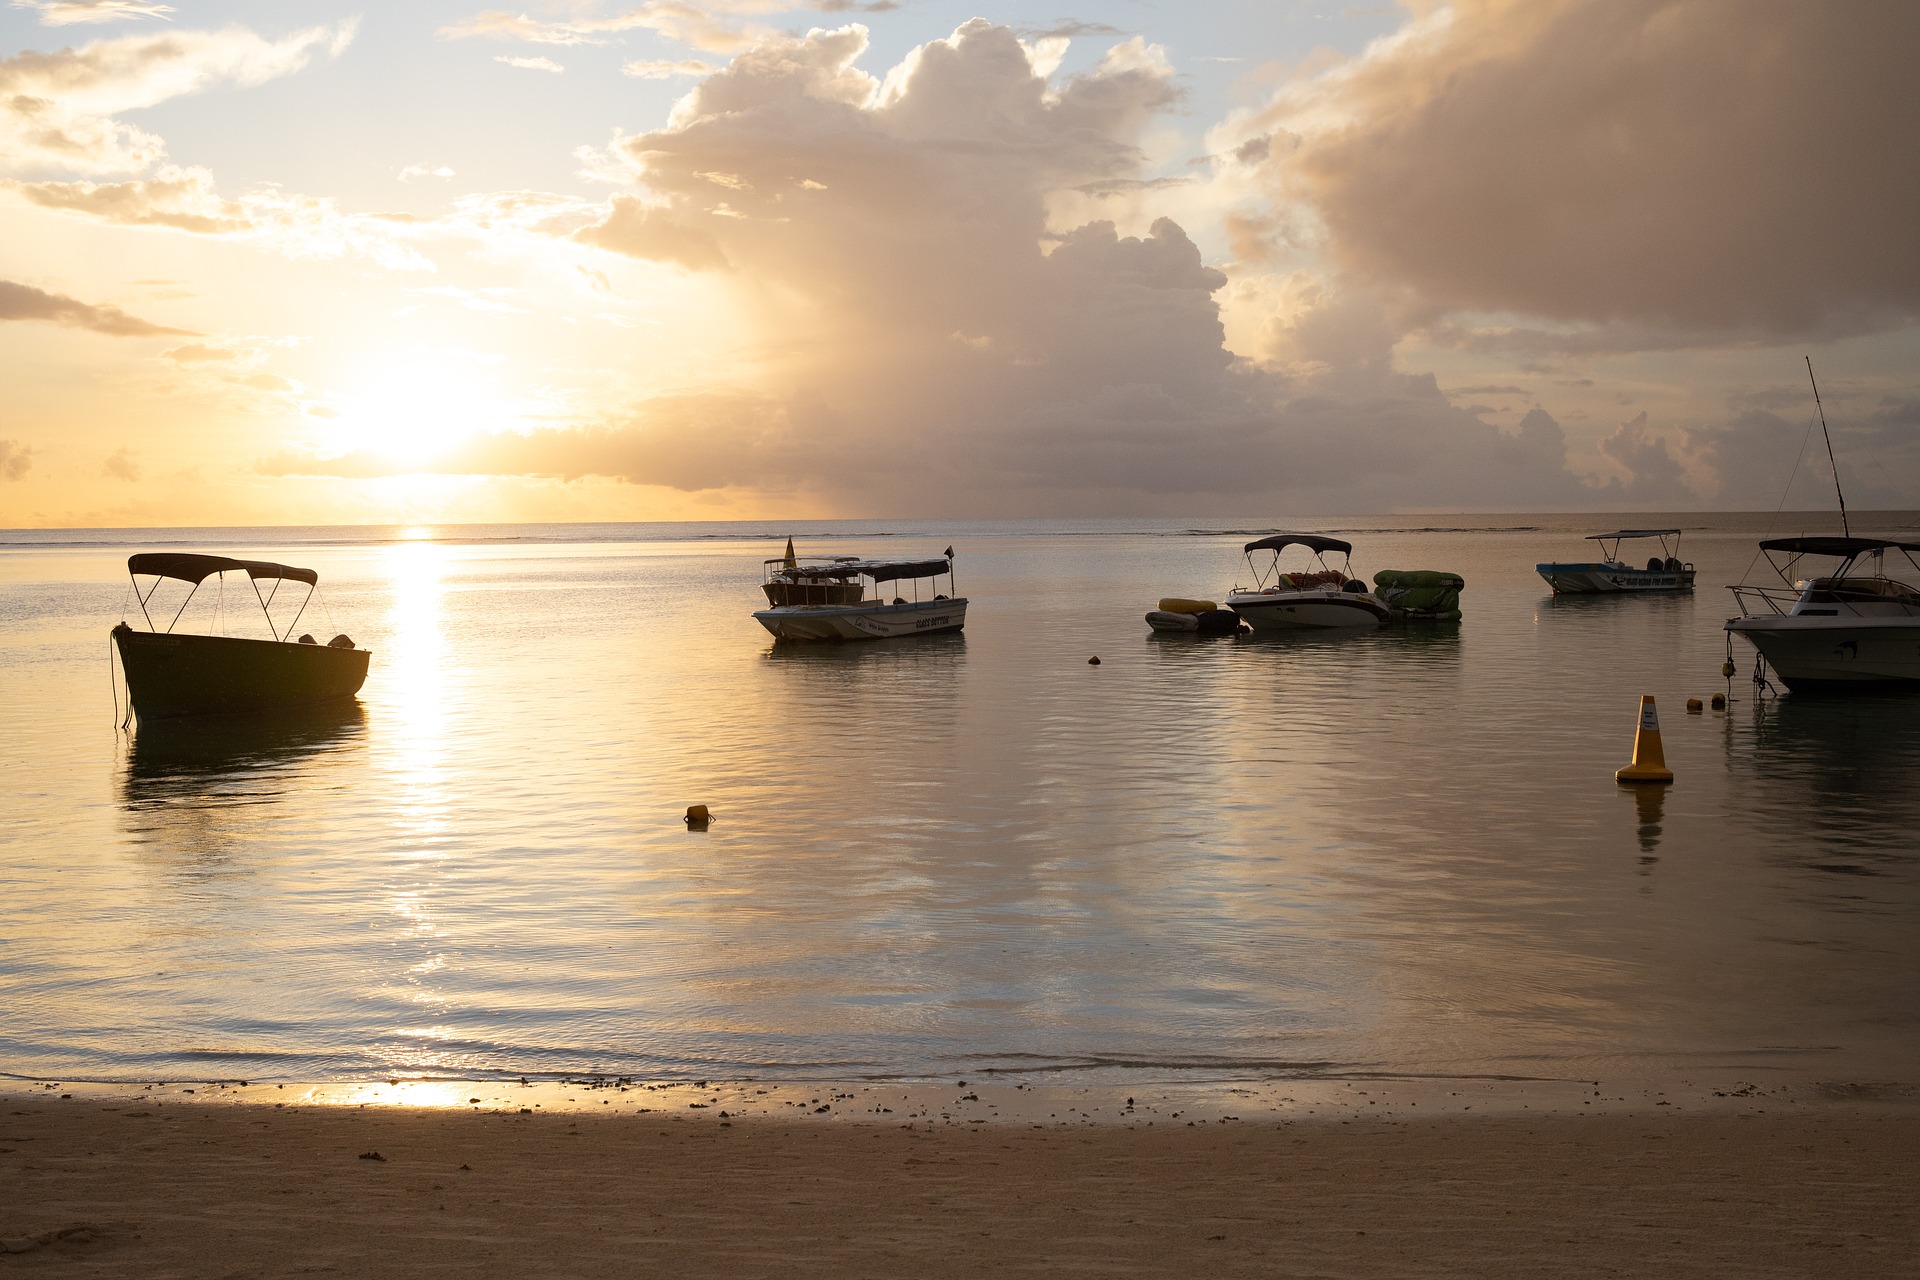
587	260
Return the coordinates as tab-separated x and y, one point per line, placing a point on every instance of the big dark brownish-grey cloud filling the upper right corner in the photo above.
1662	172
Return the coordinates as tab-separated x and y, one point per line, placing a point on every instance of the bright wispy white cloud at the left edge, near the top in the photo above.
59	110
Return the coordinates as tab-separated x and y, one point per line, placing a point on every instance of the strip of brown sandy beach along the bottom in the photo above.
160	1187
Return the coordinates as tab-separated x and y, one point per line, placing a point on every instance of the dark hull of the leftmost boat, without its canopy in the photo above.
172	676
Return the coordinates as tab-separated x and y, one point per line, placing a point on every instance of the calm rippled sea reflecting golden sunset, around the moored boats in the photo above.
1376	853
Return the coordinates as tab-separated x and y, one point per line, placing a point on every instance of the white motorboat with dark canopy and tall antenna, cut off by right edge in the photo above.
1846	628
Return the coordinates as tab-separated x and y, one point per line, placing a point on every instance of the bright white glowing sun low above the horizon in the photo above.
421	408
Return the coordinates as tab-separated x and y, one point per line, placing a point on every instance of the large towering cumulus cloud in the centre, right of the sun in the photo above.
928	331
